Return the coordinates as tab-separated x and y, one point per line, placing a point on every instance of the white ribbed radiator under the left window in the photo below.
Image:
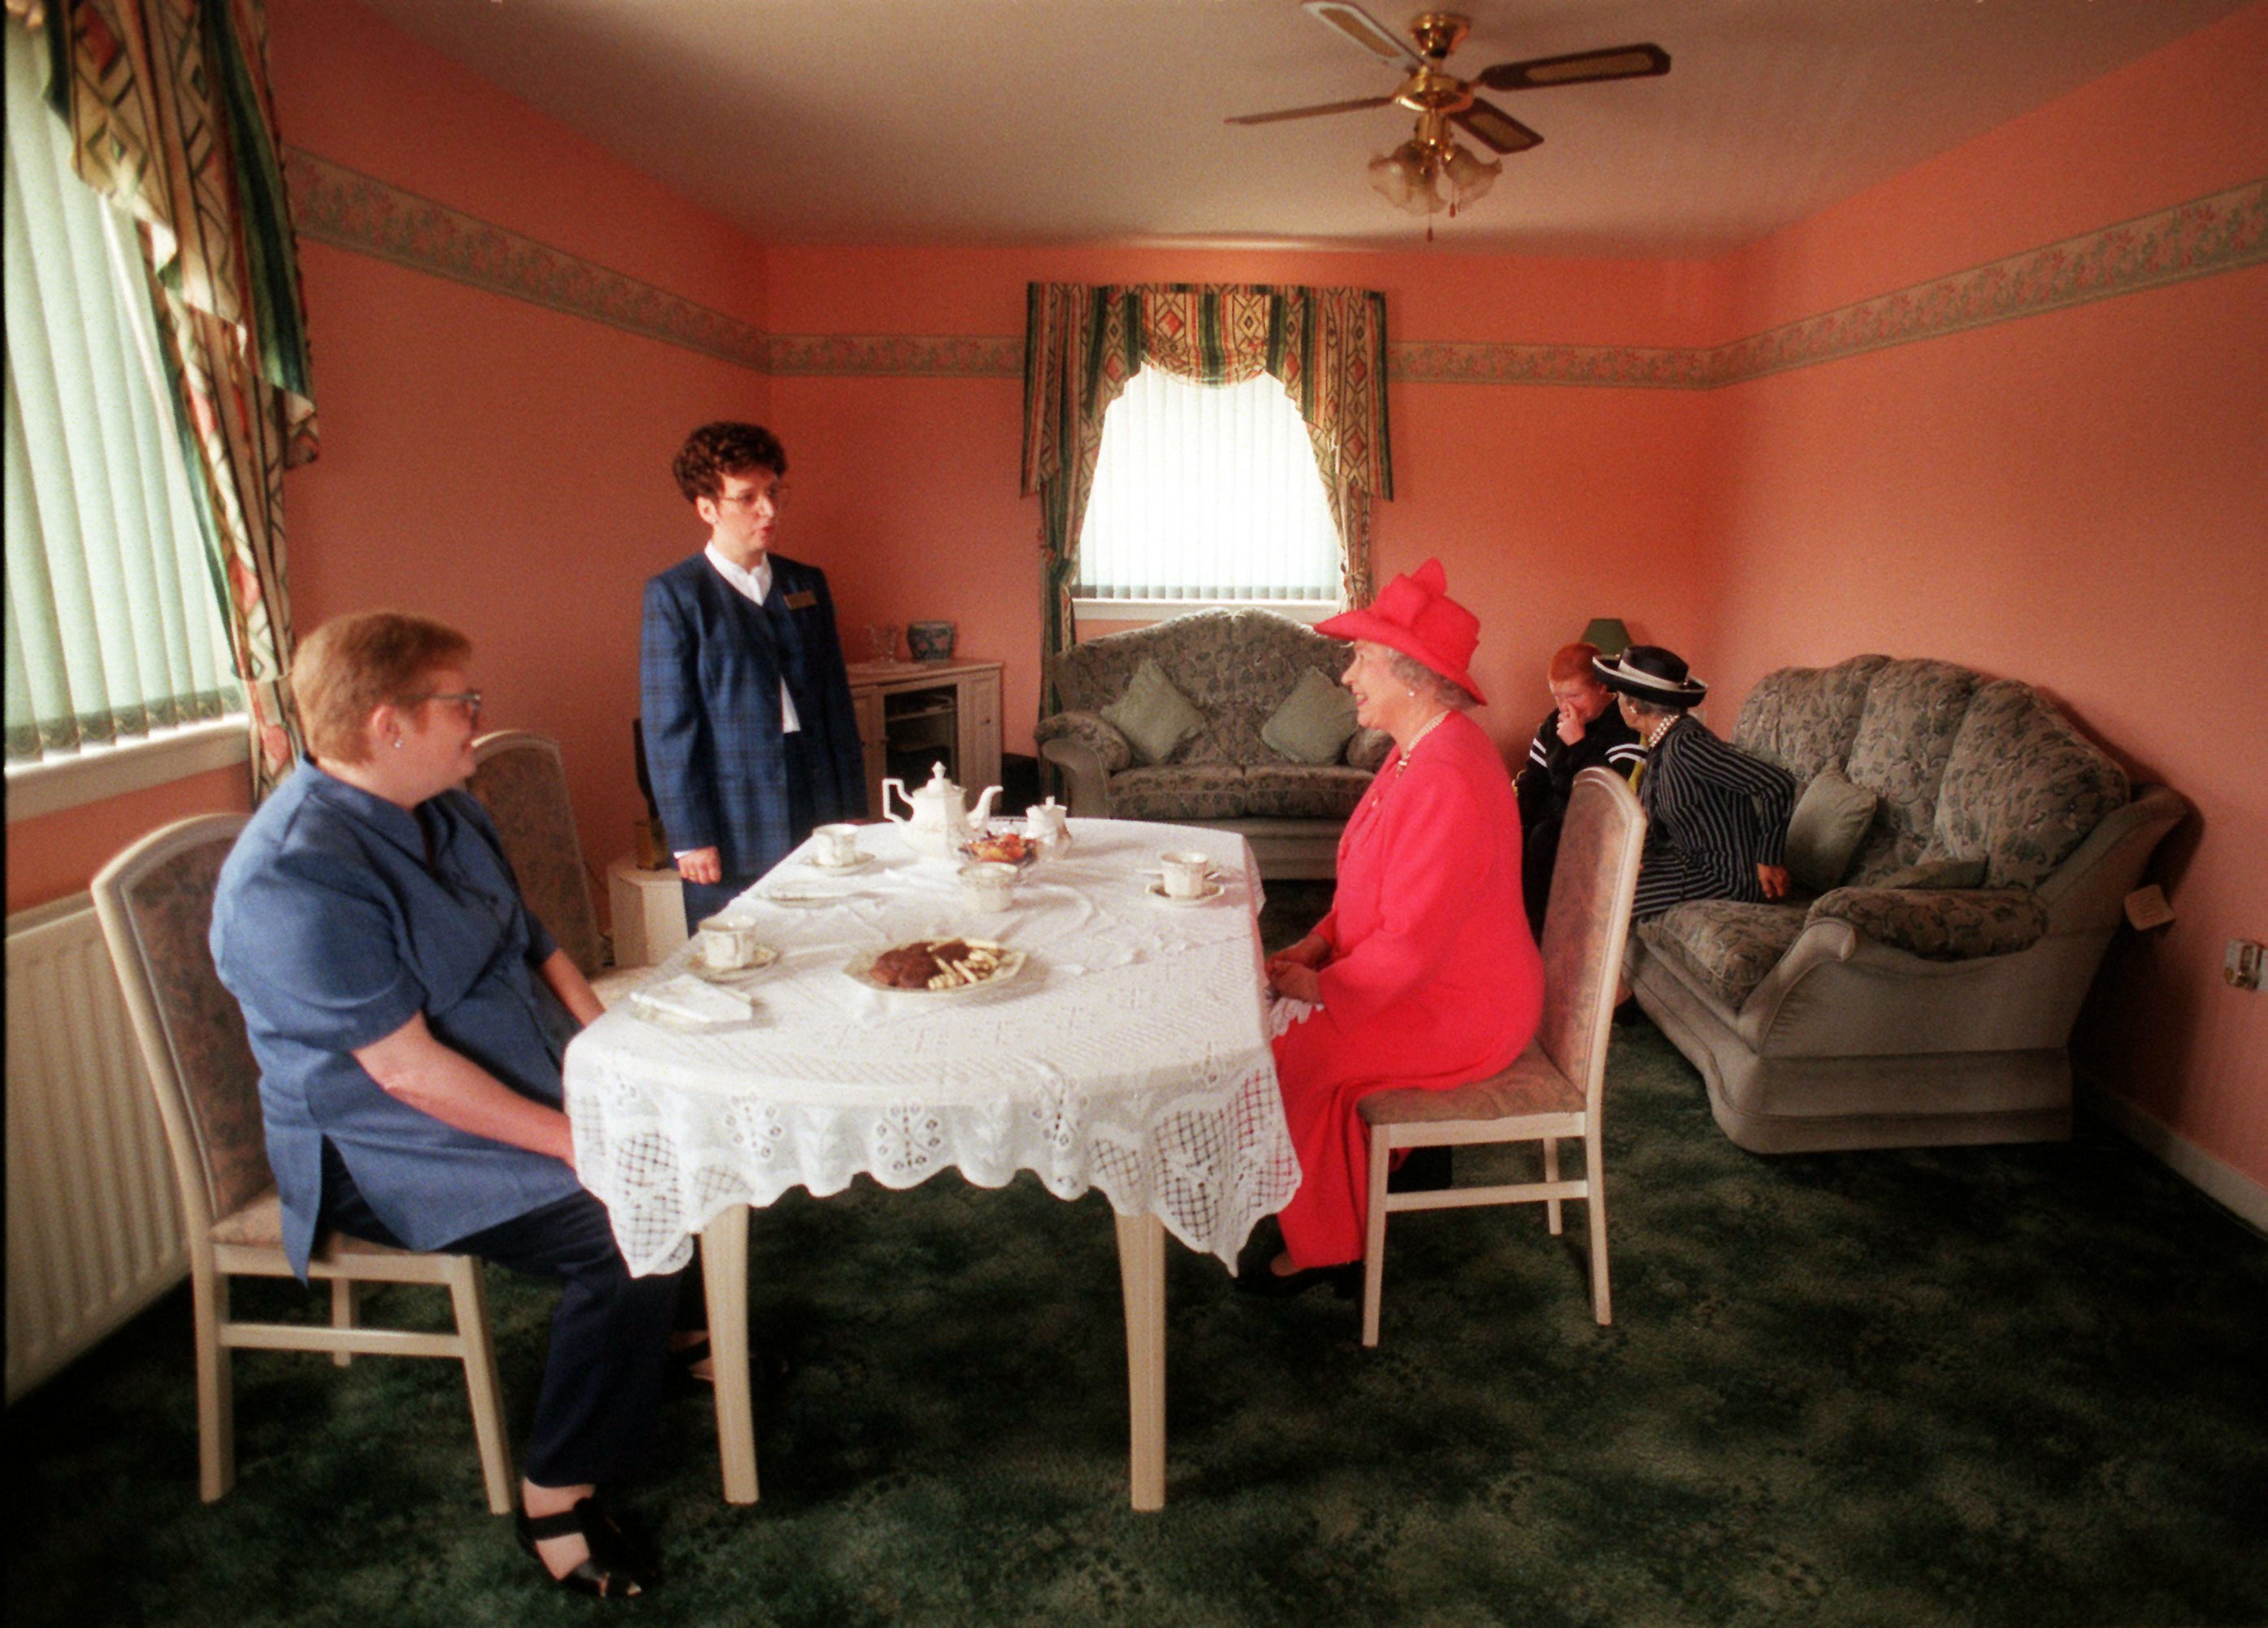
94	1230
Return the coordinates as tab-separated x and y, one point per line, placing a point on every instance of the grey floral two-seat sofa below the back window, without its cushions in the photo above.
1235	668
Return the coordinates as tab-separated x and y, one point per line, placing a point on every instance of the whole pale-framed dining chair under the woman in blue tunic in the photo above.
155	904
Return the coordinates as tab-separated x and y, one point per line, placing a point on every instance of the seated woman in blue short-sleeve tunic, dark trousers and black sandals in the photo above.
409	1019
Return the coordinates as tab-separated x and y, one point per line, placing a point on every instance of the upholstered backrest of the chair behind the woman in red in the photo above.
1589	922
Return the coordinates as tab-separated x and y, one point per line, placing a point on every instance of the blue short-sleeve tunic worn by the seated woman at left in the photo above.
337	919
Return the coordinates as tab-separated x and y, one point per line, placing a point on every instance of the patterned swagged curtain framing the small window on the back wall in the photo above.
1083	346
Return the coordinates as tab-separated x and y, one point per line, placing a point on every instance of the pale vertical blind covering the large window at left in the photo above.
112	600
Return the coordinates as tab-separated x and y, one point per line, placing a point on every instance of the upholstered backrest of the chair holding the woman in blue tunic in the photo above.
158	915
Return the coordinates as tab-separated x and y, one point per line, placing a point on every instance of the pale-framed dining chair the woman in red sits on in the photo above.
1552	1089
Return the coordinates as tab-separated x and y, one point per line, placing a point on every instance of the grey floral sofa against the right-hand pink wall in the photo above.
1886	1012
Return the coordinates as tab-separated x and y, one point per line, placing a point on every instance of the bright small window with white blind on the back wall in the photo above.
1205	495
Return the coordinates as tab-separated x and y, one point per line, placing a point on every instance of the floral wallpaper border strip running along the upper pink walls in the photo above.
2206	237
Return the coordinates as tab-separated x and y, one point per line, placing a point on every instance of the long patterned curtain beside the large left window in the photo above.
171	117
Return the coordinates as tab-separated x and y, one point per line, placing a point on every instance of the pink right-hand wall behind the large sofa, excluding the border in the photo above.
2076	500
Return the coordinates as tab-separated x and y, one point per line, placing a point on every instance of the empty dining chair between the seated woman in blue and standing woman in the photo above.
521	779
